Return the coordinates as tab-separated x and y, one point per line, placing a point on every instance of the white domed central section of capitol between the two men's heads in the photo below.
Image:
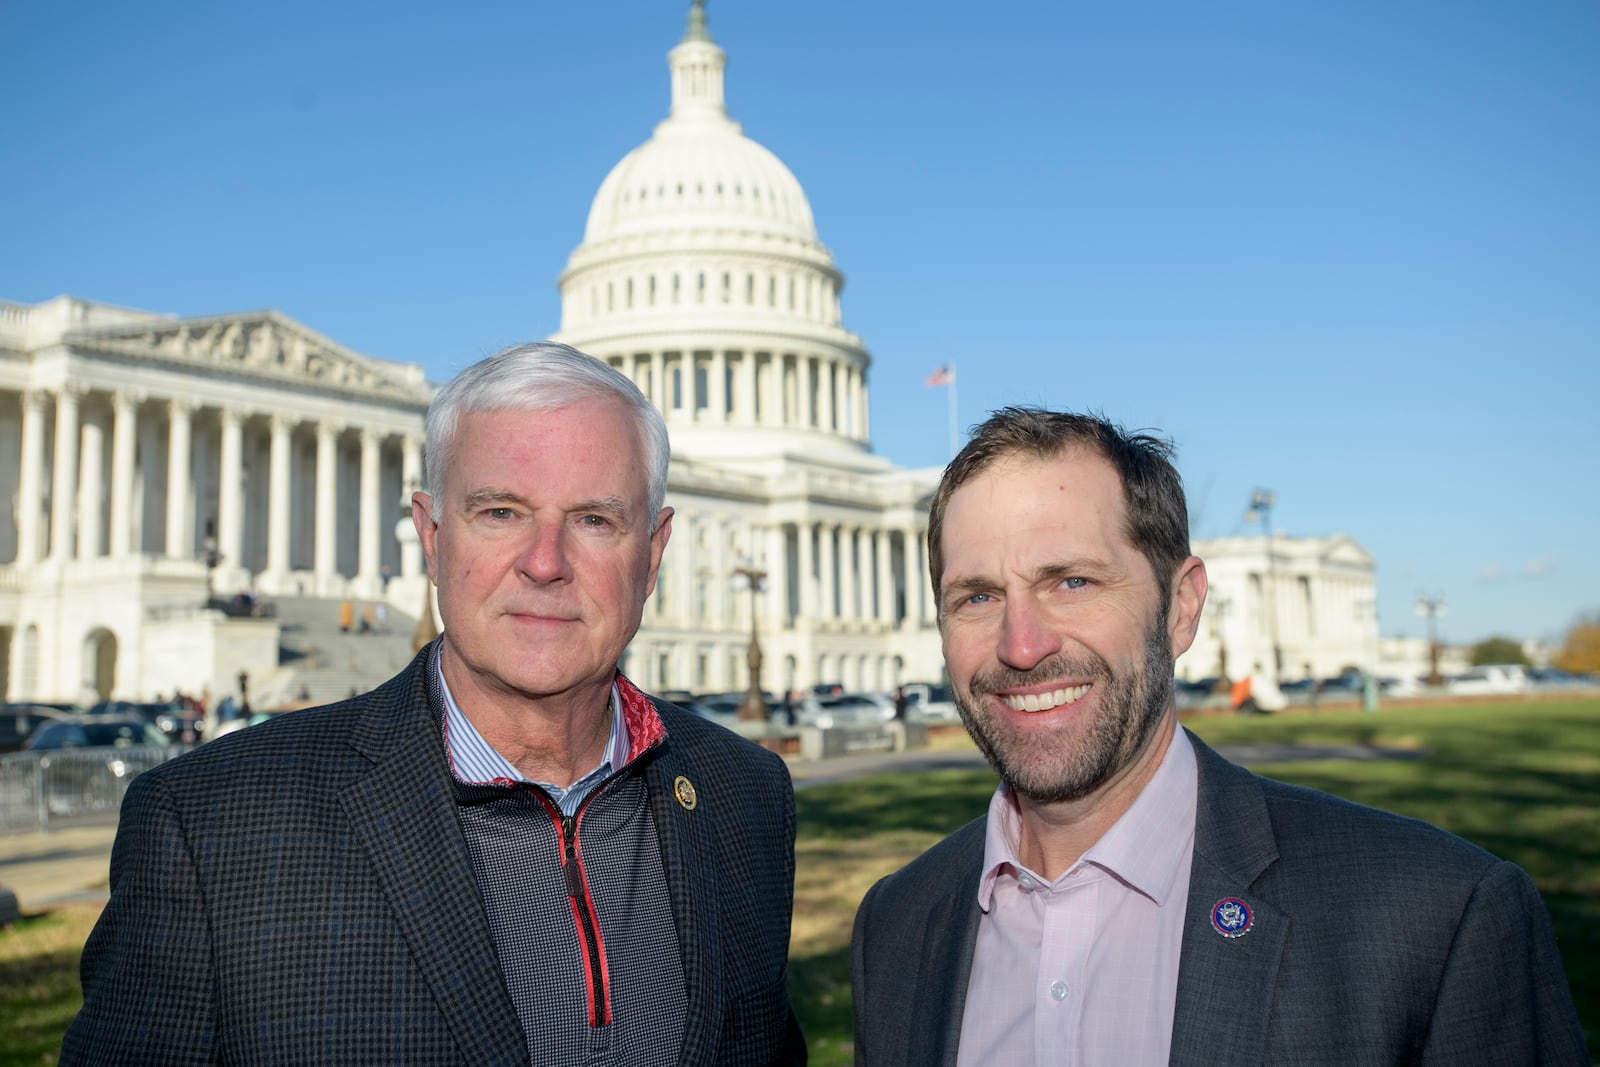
703	279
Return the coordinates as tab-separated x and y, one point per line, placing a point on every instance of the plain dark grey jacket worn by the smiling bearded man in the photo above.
1377	940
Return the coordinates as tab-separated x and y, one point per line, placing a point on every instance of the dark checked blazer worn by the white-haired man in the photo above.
302	893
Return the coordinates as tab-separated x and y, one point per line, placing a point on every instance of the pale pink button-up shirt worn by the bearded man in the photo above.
1084	970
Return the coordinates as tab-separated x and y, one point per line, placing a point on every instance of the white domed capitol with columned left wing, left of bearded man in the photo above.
153	468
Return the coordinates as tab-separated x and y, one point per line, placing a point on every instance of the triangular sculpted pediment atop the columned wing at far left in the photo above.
258	345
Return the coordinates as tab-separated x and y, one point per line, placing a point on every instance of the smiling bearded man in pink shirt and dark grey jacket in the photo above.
1132	898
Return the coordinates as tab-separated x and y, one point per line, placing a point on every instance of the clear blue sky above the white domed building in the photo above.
1348	252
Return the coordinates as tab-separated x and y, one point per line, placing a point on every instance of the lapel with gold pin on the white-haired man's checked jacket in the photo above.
686	855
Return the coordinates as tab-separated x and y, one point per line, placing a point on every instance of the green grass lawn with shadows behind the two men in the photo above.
1521	780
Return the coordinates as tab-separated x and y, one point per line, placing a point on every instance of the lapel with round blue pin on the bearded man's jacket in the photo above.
1226	985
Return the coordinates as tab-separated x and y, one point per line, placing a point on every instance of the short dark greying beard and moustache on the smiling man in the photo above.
1073	764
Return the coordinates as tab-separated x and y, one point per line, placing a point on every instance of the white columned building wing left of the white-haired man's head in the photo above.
140	436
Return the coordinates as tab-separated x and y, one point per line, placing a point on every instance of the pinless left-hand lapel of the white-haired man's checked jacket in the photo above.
404	817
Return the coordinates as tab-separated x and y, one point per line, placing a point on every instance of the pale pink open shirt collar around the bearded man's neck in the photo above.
1143	849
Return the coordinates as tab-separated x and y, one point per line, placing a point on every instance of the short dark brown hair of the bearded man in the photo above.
1151	487
